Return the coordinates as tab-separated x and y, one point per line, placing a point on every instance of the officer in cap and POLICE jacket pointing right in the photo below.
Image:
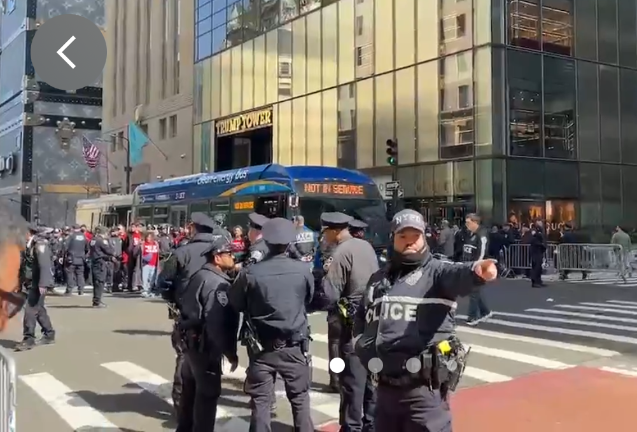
405	329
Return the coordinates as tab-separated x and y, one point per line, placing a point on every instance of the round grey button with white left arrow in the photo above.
68	52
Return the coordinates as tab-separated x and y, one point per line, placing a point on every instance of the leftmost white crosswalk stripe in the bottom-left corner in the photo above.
73	409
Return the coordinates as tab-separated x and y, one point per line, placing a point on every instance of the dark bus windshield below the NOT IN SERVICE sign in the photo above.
370	211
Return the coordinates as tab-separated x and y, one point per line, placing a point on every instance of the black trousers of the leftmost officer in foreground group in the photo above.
201	389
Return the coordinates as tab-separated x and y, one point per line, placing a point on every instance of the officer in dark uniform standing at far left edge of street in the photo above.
38	275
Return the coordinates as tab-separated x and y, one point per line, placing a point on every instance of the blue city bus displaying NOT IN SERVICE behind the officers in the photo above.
272	190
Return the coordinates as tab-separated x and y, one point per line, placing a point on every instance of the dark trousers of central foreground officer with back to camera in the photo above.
291	364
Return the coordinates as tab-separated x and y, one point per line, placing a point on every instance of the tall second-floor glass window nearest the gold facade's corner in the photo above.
525	103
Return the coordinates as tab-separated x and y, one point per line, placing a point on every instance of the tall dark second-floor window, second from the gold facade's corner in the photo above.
559	108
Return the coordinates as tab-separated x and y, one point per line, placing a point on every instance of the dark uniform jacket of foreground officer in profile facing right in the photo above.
206	308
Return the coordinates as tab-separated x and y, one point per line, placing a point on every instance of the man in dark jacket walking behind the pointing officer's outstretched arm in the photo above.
476	248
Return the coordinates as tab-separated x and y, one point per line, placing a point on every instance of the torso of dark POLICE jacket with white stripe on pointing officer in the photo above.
401	322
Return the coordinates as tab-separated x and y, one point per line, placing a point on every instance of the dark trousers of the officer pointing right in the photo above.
412	410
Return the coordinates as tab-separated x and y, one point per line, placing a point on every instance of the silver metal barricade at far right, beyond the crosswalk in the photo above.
593	258
